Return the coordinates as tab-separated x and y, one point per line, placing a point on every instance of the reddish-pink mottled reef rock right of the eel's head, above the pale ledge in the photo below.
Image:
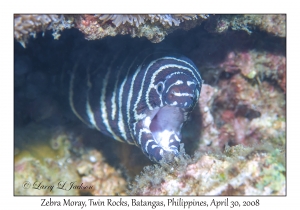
248	107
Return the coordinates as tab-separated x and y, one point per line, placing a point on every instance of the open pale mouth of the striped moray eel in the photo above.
165	126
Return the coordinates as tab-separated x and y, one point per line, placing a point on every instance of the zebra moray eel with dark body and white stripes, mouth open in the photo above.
142	98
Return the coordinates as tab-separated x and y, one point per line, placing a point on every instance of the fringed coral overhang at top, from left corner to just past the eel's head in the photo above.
153	27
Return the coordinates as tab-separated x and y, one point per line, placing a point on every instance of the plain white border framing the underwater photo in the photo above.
153	6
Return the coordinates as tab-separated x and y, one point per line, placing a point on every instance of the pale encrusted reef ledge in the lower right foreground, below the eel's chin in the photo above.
239	171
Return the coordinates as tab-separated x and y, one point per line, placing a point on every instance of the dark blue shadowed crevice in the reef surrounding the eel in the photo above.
39	85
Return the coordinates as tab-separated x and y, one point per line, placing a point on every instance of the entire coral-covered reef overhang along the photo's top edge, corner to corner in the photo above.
154	26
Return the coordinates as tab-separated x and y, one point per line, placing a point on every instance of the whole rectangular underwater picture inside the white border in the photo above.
150	104
